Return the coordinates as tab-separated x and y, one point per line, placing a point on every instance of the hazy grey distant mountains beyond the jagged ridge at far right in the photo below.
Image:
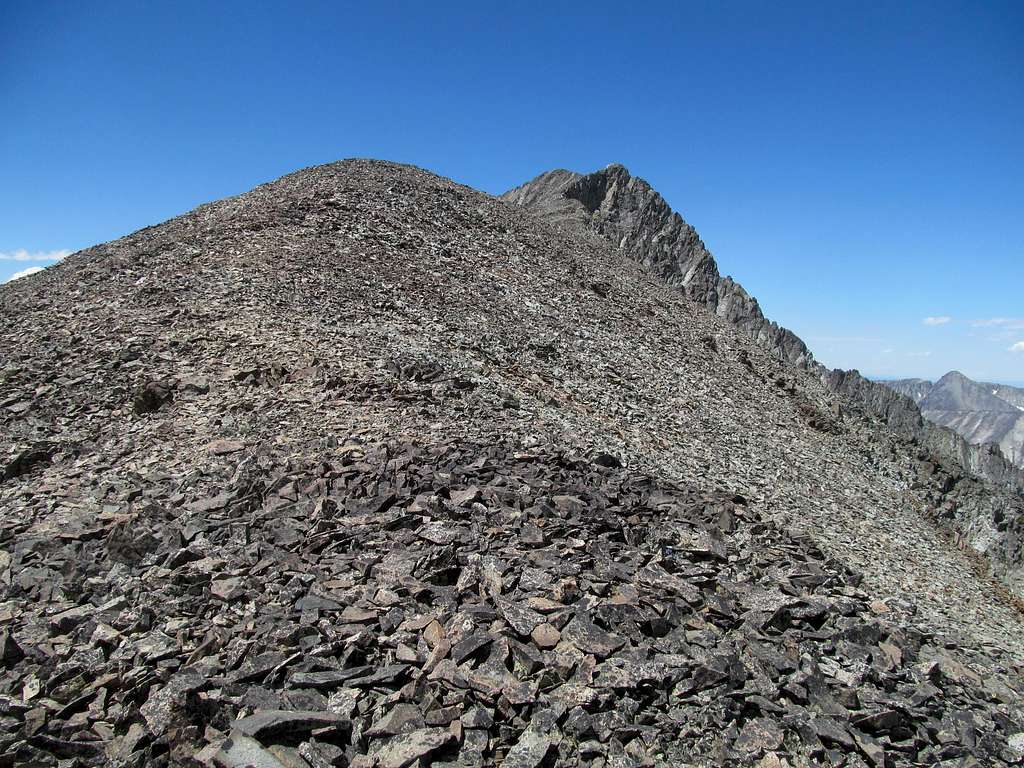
979	411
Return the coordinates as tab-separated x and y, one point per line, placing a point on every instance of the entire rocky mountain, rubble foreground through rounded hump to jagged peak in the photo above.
367	468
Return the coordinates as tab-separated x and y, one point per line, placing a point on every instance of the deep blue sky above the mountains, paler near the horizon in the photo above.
860	167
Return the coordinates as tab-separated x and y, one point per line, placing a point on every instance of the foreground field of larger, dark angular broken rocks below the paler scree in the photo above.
474	606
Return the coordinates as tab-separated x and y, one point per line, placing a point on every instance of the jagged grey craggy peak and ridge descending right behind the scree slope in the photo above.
986	517
